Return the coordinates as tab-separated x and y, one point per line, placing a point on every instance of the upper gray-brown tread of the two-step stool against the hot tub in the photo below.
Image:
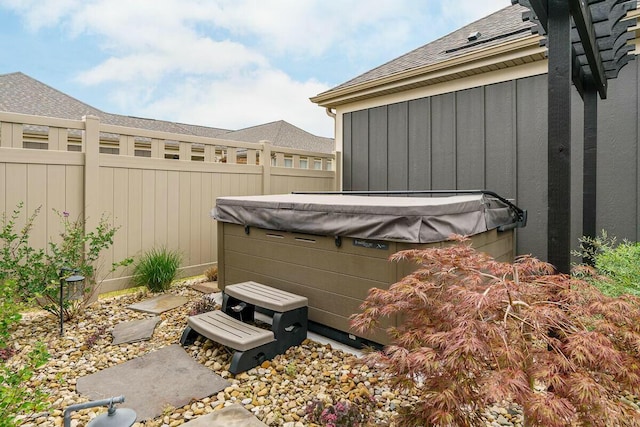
266	296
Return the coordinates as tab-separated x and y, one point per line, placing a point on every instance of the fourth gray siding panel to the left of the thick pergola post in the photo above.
443	143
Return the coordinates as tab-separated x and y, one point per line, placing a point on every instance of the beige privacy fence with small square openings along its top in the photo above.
157	187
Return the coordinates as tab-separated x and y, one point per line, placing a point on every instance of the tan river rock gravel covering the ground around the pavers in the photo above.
277	392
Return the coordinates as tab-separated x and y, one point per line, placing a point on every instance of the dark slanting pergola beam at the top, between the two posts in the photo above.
584	24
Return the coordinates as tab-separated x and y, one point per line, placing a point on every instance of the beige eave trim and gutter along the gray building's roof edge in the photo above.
513	52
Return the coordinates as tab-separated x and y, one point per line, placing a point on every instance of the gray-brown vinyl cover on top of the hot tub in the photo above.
401	219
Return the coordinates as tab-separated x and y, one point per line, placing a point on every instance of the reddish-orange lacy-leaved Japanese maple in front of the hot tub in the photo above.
476	331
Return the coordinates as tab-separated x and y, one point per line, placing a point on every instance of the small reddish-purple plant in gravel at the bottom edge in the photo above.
340	414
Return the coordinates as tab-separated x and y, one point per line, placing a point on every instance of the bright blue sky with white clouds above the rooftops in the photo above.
228	64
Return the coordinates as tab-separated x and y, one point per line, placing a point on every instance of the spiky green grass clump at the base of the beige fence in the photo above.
156	269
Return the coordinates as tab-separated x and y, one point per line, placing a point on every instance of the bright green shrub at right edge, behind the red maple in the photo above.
617	265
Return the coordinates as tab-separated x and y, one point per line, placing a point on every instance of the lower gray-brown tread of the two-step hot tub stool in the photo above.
228	331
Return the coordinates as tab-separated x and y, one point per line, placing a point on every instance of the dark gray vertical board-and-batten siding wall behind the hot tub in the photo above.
494	137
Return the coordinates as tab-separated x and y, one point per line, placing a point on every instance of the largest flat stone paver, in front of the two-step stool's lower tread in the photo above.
151	383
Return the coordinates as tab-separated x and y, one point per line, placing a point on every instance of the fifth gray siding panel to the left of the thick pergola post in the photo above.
419	144
